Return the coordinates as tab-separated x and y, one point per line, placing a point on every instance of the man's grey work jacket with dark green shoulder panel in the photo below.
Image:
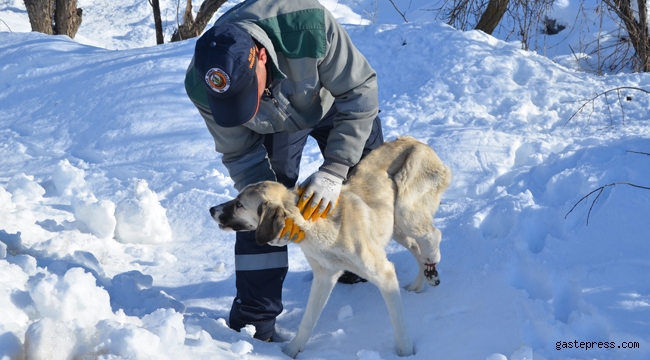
314	66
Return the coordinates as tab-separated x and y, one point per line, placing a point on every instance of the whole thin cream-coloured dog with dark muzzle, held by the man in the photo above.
393	192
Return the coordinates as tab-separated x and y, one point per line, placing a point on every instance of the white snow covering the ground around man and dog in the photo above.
107	249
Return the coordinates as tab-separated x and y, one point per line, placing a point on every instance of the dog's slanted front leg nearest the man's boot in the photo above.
321	288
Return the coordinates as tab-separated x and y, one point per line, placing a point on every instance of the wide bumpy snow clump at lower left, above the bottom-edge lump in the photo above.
73	299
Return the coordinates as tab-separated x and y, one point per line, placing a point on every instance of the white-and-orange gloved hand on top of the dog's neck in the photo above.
319	195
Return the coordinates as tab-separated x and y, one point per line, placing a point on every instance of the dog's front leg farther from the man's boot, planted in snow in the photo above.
385	279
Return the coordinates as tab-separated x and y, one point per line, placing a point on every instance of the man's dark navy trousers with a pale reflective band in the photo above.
260	270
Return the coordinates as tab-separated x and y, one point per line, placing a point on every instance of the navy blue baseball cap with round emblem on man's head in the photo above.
226	56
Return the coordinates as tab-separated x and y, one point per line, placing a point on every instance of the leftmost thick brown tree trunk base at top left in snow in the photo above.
54	17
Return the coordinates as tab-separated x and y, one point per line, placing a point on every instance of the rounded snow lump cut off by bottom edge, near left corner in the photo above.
48	339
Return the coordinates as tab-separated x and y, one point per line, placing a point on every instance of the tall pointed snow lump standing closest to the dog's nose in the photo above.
141	219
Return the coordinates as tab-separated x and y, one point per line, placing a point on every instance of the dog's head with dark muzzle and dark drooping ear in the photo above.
258	207
